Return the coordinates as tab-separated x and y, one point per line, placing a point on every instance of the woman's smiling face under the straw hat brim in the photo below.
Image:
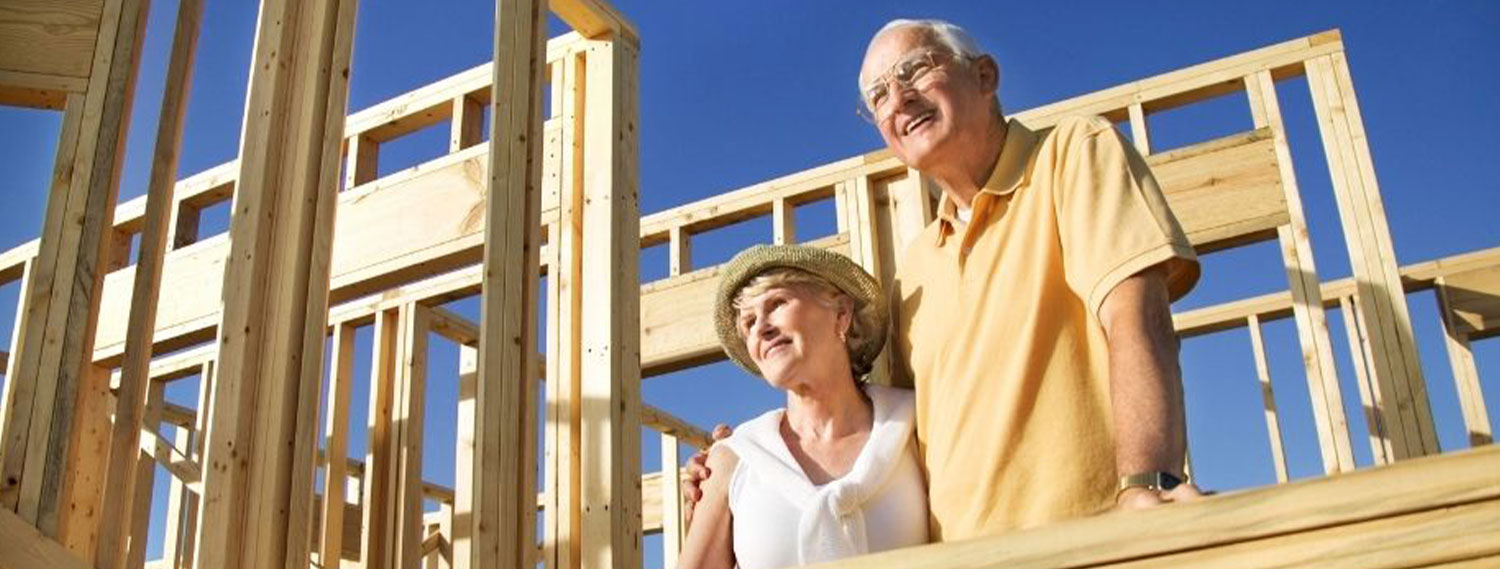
793	334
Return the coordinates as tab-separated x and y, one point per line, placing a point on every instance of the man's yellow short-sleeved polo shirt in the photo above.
1000	333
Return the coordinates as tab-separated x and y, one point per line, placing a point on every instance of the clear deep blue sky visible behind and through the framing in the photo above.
739	94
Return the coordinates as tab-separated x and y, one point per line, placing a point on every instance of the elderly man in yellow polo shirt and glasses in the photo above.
1034	313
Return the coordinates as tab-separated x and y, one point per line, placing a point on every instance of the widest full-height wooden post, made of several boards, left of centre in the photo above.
260	460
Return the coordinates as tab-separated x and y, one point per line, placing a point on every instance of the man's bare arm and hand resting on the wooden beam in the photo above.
1145	385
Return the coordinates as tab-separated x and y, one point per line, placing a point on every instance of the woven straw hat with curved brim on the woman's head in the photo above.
838	269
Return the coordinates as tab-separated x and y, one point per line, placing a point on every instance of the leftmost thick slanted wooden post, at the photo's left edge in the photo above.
58	417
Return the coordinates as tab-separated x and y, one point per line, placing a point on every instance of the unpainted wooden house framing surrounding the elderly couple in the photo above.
314	256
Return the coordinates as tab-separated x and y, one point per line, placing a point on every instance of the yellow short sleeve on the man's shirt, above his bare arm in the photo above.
1112	217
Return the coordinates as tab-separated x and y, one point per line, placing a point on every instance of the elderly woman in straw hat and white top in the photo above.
835	474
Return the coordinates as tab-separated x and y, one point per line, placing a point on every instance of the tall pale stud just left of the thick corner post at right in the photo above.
1307	295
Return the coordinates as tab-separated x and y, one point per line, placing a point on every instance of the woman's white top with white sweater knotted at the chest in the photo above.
782	520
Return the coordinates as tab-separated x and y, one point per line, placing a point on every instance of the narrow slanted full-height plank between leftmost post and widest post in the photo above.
119	507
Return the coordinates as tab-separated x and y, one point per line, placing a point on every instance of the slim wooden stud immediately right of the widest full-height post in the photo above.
337	439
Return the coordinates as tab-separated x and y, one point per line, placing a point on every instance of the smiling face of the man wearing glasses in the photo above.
938	118
